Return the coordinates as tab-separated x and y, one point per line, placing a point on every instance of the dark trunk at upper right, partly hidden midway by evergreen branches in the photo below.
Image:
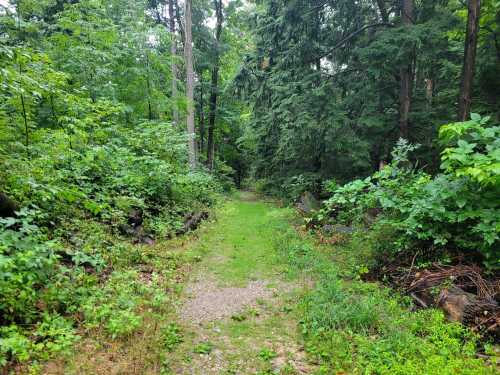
406	73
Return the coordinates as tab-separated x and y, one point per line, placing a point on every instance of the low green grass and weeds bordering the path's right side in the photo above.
358	327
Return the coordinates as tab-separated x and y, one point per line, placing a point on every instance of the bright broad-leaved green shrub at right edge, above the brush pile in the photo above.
456	209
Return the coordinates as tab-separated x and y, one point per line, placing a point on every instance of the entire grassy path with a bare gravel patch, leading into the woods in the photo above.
237	316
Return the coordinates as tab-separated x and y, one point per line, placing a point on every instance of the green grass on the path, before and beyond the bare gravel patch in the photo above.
237	249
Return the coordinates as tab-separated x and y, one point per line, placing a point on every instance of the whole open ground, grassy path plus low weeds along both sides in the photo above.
248	294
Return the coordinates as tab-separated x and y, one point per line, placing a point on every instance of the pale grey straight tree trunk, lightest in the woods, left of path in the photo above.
188	50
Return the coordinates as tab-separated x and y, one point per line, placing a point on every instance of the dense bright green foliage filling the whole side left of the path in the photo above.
88	154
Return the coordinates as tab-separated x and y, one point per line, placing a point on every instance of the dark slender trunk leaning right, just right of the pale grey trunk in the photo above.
214	87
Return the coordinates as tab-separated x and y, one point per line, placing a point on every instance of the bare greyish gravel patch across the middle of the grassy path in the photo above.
209	302
